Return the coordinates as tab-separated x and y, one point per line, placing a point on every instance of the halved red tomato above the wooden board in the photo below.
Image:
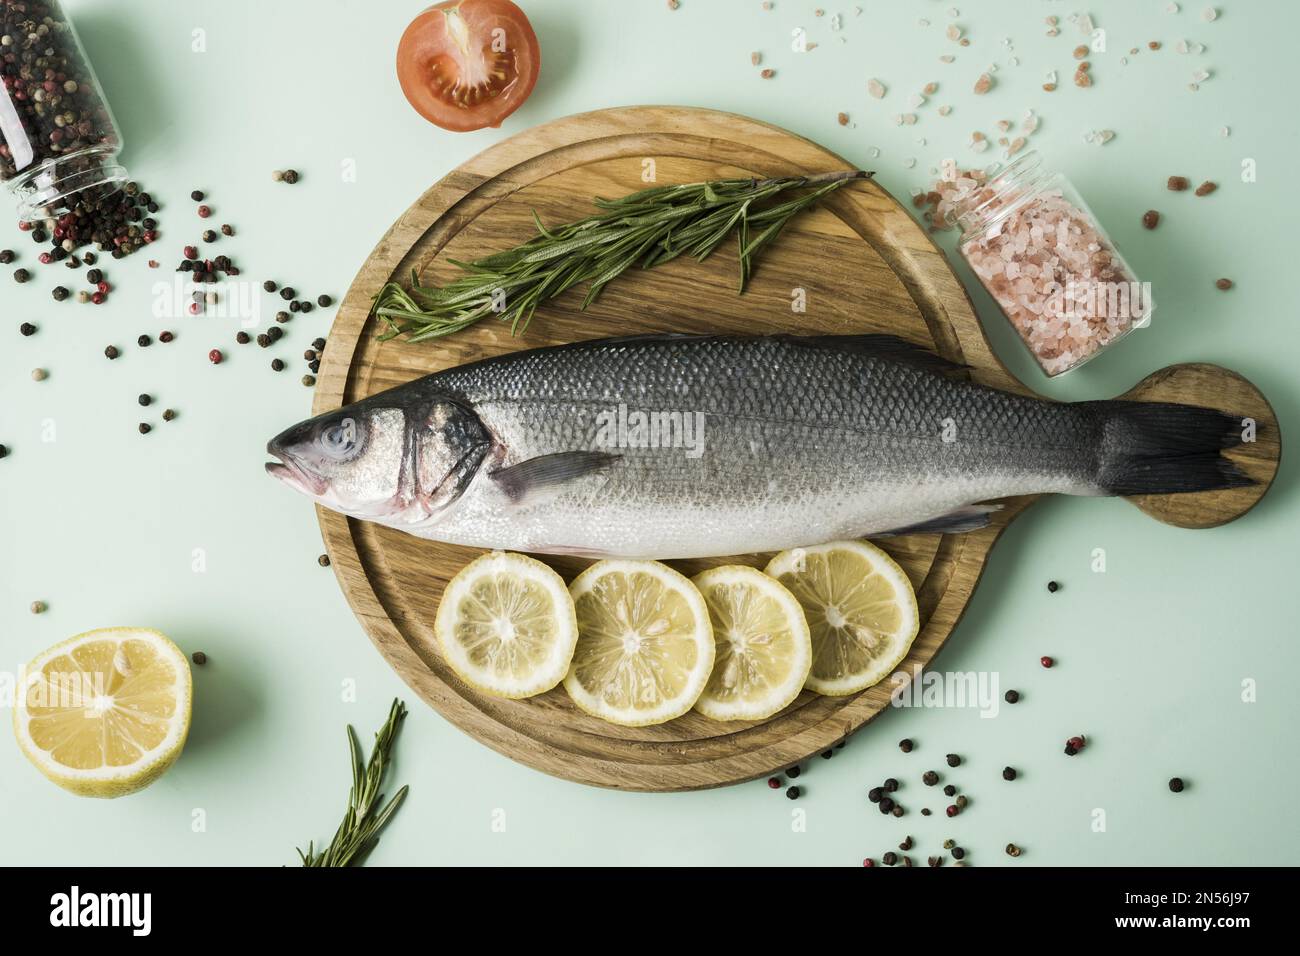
453	70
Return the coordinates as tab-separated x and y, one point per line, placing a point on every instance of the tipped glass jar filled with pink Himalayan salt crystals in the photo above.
1047	262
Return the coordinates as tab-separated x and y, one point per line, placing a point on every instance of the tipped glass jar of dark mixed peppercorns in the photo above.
58	136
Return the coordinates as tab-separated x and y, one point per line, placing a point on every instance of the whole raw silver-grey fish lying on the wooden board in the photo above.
694	447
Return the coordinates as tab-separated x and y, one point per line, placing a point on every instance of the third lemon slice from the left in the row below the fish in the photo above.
762	646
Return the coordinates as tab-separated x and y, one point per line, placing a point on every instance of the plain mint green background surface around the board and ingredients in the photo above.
1152	654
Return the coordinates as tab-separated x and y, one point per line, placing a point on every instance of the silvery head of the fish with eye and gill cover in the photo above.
398	464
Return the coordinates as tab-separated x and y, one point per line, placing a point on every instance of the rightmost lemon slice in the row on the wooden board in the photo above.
861	611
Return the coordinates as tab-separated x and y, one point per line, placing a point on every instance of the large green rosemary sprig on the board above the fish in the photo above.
648	228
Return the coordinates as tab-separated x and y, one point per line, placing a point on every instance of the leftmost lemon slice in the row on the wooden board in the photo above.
506	626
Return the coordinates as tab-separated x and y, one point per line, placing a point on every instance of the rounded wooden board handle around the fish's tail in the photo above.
1215	388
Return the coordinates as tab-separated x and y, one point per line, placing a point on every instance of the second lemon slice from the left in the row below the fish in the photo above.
645	646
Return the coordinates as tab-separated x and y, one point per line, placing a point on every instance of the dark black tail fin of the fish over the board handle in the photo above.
1160	448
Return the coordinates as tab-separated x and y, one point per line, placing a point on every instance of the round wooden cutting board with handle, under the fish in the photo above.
859	263
